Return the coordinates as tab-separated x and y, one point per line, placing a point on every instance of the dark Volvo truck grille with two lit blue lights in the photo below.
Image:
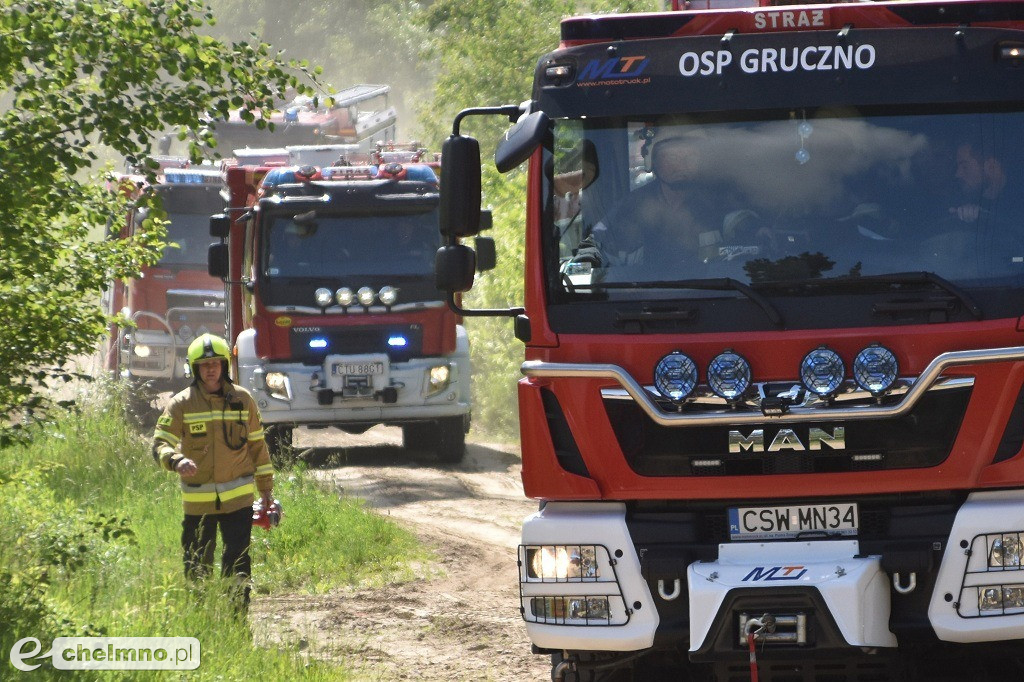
359	340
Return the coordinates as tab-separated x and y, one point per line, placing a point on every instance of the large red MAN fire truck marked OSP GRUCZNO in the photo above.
774	405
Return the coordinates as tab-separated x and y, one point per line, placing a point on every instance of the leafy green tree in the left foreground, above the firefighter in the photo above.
77	76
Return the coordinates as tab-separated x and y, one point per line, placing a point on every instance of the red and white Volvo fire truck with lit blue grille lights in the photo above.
332	306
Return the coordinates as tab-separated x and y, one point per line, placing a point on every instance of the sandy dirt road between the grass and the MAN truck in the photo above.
460	621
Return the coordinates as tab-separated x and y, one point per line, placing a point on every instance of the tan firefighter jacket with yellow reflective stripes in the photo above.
223	434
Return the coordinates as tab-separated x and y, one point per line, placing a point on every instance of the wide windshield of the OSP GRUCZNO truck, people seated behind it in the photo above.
790	197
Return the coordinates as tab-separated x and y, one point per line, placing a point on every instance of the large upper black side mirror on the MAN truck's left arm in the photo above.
460	201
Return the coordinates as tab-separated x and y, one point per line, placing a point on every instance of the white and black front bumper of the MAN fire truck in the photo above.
878	591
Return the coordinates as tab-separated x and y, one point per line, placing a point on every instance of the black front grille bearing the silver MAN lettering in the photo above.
920	440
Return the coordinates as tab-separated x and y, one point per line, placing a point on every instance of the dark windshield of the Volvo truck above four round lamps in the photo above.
335	247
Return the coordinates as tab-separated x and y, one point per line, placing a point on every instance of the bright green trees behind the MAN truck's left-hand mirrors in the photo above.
487	53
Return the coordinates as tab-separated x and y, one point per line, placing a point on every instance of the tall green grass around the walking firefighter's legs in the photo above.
90	545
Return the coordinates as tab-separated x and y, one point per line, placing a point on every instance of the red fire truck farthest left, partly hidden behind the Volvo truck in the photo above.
176	301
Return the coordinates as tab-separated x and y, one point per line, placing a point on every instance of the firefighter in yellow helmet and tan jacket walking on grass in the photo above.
210	435
